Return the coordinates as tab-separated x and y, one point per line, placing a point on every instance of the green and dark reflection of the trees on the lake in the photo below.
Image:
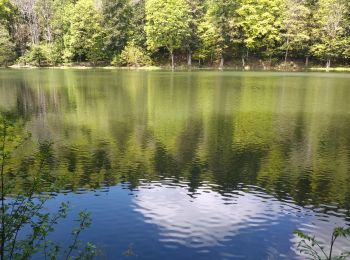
286	134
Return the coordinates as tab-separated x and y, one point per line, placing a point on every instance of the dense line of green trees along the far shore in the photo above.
139	32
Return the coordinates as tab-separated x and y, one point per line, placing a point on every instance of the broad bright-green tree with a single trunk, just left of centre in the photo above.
167	24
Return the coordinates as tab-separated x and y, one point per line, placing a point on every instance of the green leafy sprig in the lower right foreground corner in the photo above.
314	249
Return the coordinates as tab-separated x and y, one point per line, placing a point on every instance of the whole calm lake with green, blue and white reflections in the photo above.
191	165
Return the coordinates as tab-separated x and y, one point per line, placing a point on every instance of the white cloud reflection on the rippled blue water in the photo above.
207	218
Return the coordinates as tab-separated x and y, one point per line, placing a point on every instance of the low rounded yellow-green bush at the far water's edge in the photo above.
132	56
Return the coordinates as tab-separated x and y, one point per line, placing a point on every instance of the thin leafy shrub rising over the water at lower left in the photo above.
26	210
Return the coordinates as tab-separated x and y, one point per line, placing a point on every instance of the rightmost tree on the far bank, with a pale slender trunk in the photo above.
330	17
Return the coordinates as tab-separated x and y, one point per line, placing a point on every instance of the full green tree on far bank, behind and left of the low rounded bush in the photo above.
84	41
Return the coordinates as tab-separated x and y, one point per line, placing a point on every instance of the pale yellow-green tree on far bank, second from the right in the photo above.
294	26
